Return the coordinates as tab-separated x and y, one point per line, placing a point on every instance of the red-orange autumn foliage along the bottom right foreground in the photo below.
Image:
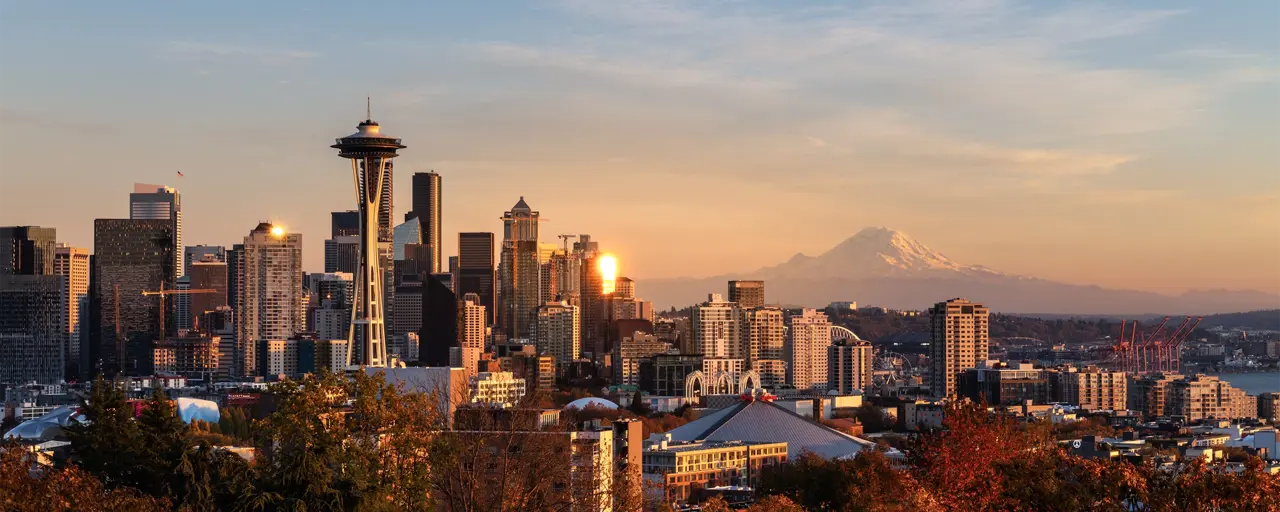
984	463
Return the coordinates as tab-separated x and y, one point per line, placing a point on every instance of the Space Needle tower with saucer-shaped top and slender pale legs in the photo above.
371	153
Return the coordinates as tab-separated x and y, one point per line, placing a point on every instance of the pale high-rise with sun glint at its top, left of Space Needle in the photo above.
271	298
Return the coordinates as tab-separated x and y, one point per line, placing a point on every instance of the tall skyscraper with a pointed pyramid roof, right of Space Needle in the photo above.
519	273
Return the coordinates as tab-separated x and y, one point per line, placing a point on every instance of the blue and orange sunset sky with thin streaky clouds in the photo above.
1117	144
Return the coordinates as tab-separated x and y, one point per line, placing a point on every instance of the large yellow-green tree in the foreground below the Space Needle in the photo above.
351	444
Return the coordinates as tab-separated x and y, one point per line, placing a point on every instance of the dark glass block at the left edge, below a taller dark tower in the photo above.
33	337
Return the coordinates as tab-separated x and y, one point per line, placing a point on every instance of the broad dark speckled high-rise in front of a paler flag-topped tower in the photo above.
130	257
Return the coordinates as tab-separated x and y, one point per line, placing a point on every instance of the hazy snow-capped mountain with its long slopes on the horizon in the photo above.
886	268
